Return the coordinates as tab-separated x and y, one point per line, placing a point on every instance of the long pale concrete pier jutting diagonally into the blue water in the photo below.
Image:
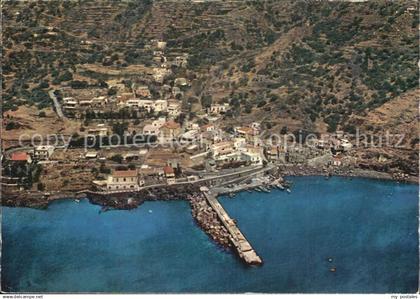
240	243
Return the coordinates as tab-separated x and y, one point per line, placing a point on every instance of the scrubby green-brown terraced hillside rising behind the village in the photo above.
302	64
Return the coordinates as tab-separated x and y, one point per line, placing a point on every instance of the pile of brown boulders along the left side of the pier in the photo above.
207	219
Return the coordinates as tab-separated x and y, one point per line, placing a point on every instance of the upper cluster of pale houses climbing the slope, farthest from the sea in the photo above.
138	96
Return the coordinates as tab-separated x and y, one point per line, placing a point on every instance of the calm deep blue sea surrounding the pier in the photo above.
368	227
